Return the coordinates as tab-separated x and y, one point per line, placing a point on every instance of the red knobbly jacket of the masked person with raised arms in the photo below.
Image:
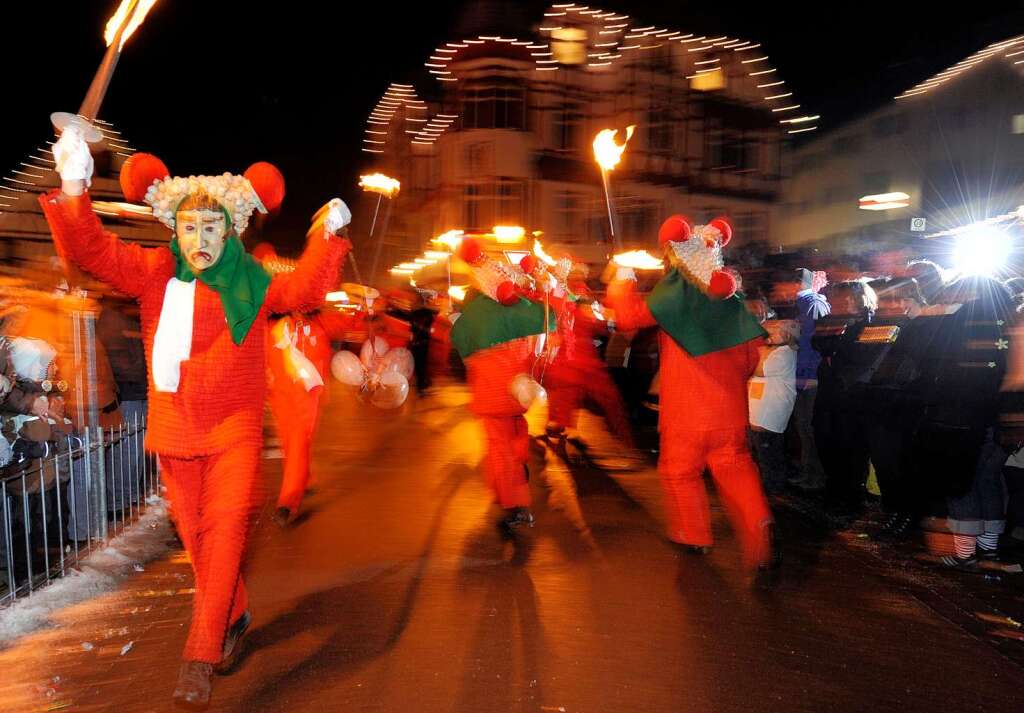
220	402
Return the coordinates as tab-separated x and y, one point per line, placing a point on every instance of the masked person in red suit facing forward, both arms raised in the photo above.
204	307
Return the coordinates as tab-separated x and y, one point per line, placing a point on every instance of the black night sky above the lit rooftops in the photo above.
215	86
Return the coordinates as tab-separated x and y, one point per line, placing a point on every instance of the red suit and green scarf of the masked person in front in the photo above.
207	432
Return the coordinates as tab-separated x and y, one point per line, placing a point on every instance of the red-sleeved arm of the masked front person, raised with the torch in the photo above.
80	238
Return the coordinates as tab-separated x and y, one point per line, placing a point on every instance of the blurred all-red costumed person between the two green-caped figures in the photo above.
577	373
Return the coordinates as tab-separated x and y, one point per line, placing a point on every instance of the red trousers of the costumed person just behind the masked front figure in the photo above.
295	414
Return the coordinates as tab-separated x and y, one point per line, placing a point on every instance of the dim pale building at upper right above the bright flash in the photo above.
951	149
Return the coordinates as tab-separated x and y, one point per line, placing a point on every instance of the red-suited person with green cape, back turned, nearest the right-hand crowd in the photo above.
709	347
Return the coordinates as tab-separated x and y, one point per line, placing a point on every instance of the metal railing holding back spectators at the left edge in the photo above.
57	510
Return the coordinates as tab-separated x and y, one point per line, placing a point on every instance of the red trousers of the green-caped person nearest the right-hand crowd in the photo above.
685	456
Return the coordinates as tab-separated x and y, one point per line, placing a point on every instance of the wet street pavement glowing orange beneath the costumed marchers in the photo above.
395	593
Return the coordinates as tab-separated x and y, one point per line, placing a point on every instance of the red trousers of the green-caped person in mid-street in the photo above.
504	465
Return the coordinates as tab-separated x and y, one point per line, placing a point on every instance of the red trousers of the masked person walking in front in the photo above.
214	499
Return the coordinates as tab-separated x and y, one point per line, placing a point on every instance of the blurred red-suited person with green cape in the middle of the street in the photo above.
497	337
